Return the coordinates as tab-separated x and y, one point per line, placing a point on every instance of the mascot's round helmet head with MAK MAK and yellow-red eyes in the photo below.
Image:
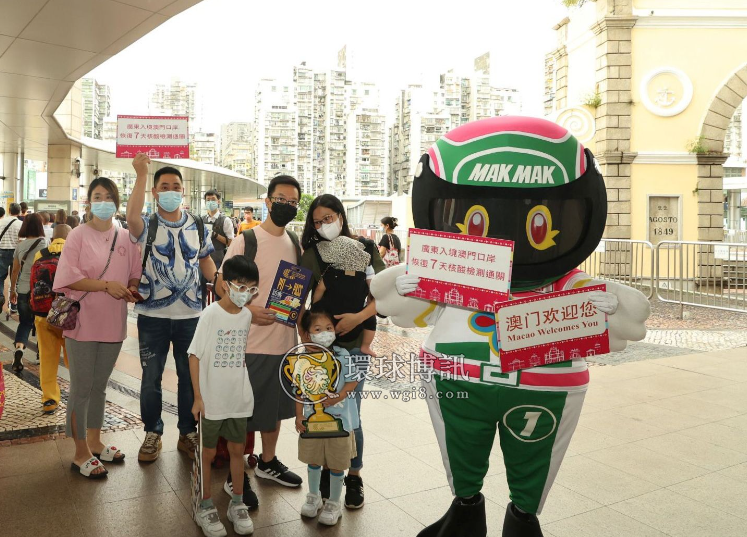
518	178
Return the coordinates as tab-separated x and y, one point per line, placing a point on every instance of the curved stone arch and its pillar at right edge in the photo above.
710	165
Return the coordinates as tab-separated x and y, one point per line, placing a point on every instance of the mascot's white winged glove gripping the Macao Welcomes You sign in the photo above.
628	310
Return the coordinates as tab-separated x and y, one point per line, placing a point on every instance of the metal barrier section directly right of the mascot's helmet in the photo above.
623	261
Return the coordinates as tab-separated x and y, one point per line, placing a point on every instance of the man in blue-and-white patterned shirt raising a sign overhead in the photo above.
172	303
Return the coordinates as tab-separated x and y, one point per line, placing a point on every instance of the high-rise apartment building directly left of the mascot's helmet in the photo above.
421	118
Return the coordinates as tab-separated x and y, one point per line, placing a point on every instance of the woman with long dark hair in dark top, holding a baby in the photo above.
327	245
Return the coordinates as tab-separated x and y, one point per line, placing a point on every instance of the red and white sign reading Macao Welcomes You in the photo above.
551	328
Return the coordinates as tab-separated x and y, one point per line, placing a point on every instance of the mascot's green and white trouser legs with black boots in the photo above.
535	428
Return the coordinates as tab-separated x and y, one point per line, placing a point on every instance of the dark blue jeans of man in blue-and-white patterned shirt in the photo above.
155	335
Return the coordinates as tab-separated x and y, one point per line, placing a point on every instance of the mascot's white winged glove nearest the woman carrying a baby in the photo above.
387	288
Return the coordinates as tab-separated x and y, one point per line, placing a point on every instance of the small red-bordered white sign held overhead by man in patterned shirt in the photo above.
156	136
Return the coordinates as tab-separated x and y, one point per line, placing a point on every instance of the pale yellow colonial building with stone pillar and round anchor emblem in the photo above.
650	86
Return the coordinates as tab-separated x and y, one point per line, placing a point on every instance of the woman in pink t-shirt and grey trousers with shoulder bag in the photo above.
100	267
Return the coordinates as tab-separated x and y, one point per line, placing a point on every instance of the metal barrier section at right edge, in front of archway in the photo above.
706	274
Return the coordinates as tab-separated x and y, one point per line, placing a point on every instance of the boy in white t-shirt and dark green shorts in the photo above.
223	394
